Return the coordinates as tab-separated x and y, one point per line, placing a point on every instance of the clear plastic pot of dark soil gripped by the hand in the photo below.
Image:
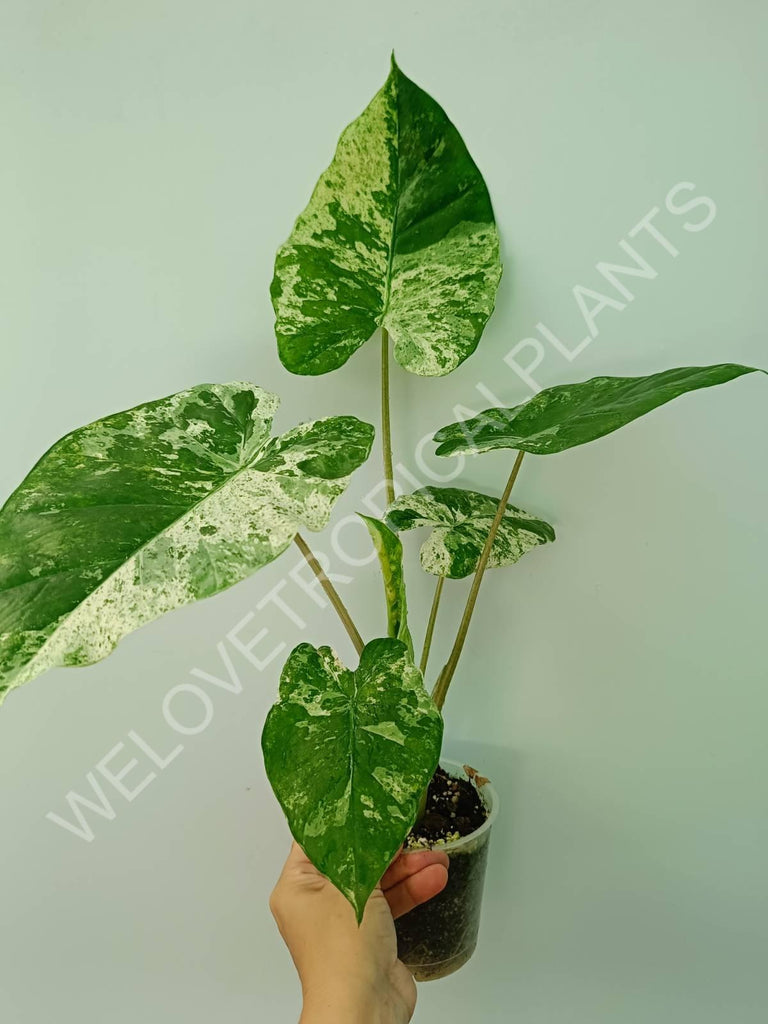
439	937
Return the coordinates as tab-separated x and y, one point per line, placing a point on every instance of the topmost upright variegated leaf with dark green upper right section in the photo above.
400	233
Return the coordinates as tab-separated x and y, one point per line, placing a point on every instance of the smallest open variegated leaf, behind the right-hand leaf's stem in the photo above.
461	521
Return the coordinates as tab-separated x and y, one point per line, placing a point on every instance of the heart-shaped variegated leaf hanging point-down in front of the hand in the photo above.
349	755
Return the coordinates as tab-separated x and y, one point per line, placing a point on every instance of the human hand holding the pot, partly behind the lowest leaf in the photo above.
352	974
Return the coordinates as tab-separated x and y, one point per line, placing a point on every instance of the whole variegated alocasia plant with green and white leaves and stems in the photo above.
176	500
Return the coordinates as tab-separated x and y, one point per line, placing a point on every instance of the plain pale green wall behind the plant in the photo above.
155	156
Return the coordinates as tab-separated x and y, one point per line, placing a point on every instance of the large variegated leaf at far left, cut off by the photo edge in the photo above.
150	509
